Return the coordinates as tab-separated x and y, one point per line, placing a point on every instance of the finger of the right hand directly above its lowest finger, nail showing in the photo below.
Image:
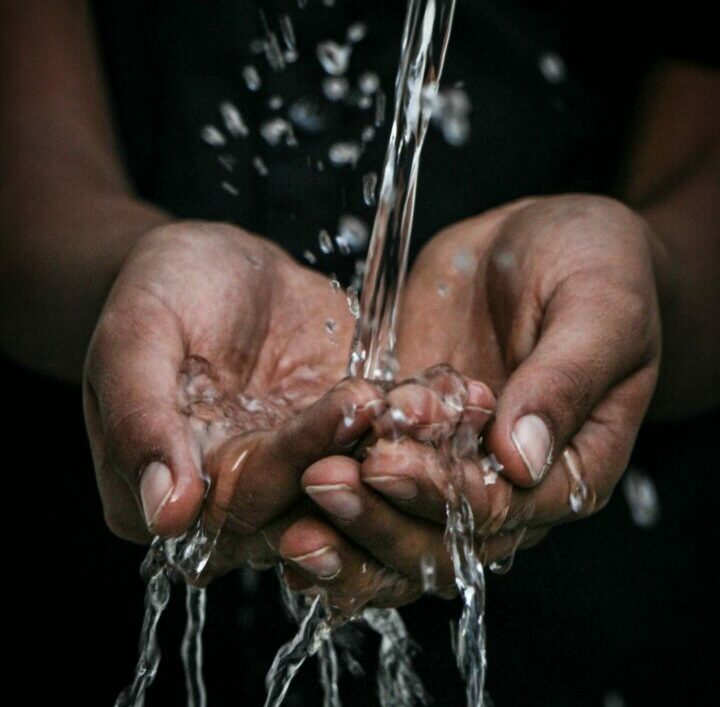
393	538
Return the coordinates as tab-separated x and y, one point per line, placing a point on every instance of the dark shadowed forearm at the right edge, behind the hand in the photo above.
673	180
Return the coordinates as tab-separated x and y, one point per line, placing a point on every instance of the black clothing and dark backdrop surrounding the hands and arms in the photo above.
600	606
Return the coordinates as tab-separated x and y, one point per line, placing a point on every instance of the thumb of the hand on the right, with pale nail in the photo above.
592	338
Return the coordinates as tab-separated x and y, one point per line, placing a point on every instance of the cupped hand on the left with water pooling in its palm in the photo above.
200	315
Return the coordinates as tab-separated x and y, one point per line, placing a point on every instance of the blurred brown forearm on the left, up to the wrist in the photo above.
67	217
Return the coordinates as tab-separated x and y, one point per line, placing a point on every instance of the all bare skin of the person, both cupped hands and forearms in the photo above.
552	312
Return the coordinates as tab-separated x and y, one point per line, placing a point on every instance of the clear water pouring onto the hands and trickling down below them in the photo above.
373	355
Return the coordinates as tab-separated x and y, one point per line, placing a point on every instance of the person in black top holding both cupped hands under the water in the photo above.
554	320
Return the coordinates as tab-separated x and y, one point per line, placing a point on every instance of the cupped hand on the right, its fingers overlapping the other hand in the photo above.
552	302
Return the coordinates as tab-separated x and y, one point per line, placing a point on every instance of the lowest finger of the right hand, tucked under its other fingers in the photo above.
322	557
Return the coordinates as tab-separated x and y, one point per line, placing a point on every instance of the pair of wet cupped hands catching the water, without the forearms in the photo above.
547	308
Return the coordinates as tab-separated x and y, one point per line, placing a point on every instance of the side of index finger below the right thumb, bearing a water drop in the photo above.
583	478
